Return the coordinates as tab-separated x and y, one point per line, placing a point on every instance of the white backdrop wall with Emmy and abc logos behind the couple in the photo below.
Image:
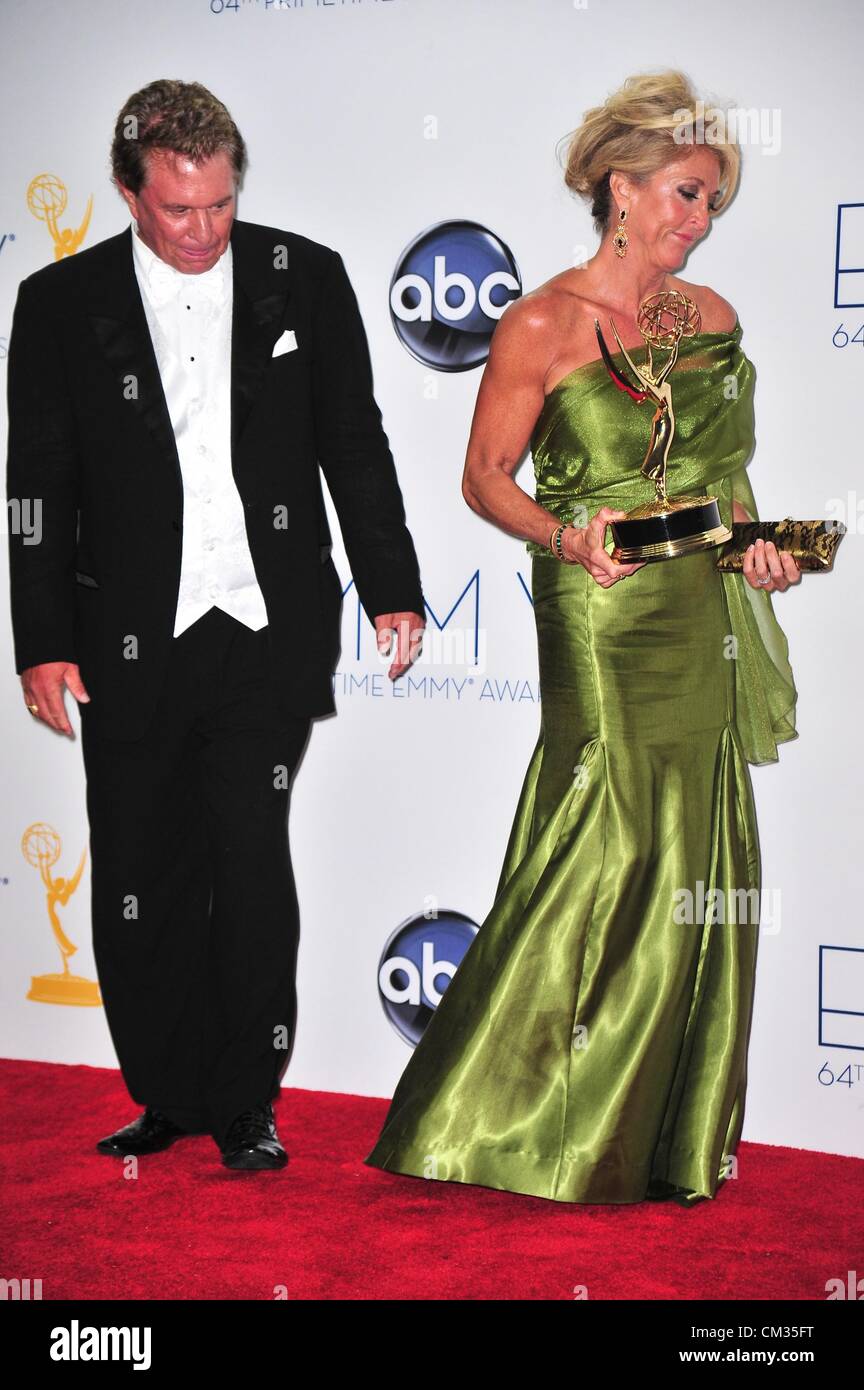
366	124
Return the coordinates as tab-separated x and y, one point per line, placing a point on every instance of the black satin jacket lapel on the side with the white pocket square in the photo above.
258	315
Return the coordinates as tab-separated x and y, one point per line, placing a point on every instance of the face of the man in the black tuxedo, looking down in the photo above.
185	211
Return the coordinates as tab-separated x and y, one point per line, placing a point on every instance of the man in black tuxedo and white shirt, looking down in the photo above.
174	393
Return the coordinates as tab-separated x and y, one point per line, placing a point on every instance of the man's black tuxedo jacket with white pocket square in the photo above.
92	454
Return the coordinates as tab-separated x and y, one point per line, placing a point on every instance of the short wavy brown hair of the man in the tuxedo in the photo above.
183	117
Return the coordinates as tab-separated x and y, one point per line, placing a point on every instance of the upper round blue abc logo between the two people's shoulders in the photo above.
449	291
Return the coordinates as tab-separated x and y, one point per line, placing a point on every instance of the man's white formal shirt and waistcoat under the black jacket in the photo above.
190	319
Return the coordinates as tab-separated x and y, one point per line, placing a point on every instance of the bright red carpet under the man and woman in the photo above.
330	1228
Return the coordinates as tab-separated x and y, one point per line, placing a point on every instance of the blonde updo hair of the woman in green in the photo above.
633	133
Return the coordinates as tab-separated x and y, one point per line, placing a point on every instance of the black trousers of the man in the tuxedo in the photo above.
195	911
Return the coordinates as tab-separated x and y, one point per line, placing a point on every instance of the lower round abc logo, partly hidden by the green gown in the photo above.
417	965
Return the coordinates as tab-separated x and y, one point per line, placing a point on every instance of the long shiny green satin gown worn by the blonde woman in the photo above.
592	1047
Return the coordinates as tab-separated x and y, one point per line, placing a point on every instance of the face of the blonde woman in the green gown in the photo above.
673	211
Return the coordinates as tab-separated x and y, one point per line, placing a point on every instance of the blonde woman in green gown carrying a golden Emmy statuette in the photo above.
592	1047
